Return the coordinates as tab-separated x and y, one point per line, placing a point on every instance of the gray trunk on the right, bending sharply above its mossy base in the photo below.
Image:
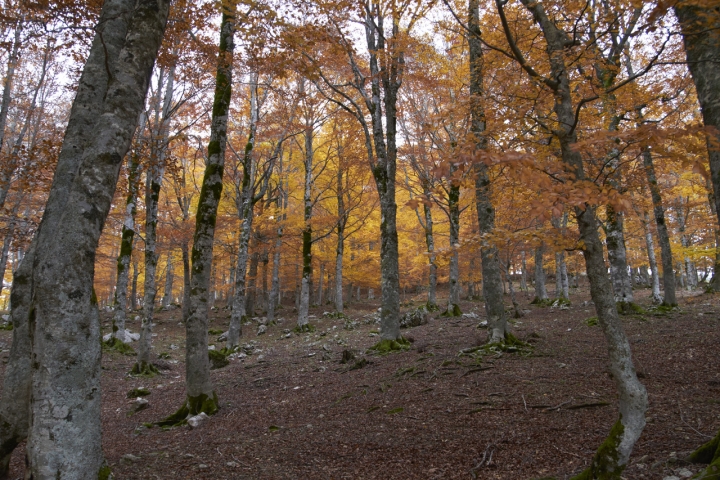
608	462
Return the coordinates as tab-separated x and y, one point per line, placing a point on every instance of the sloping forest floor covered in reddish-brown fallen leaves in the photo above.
292	410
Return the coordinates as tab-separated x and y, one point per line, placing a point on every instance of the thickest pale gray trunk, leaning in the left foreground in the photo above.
55	313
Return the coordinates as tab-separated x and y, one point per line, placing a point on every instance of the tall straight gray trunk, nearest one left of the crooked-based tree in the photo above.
492	280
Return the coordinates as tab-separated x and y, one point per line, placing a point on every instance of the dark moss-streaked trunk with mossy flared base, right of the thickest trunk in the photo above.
201	396
